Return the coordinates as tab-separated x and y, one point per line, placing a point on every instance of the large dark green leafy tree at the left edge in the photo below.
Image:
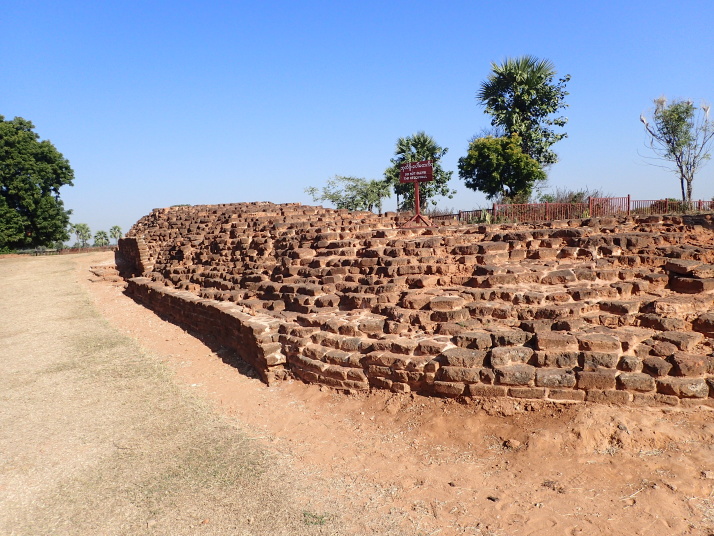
31	174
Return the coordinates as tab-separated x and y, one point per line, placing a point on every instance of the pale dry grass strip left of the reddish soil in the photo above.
97	439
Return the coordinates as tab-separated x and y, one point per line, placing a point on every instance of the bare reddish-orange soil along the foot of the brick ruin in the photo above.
495	466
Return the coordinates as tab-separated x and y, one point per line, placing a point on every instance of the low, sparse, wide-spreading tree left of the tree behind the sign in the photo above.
352	193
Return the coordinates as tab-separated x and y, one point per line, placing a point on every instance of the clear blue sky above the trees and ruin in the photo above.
157	103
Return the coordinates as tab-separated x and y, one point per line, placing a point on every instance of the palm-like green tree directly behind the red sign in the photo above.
416	148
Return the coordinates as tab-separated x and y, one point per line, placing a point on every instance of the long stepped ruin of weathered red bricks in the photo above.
604	310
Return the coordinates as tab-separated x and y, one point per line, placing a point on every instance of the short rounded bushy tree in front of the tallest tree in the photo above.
499	168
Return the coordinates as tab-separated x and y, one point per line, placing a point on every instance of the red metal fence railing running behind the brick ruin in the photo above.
595	207
